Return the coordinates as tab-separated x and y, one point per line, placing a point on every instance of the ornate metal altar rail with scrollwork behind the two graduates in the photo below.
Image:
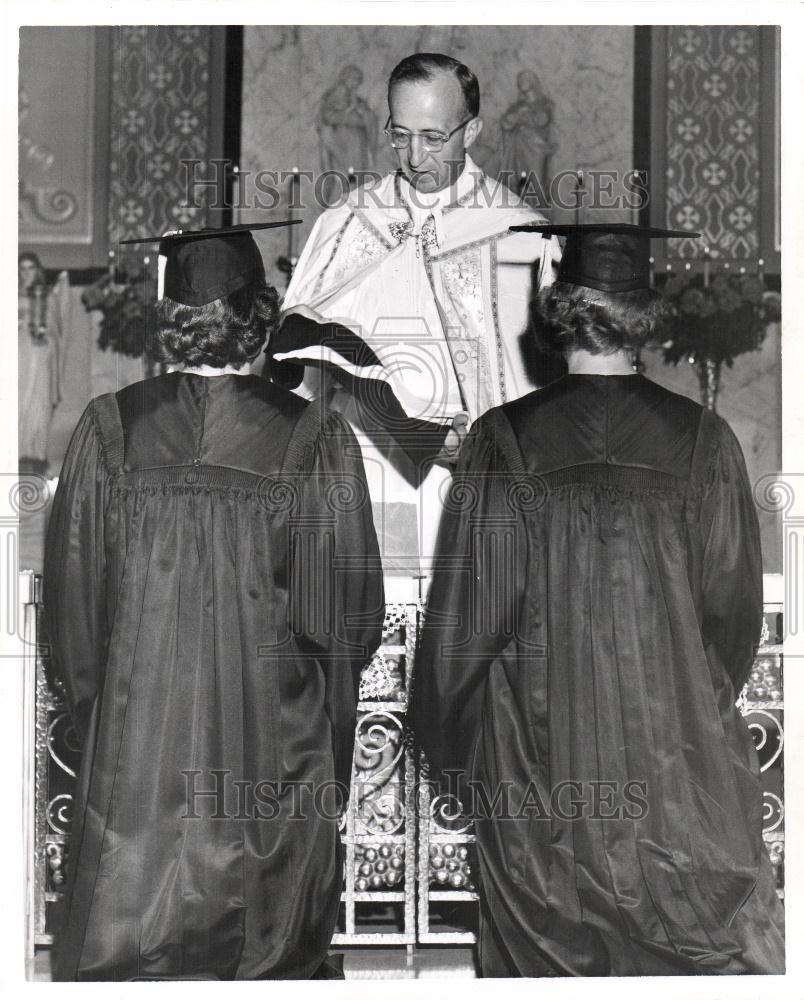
409	865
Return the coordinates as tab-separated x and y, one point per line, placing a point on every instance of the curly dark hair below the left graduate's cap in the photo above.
227	331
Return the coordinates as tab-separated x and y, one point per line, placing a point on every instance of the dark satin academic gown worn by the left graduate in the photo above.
212	589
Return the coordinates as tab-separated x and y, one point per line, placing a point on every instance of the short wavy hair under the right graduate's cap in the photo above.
568	317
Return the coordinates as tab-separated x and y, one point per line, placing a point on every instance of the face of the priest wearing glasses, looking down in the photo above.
436	105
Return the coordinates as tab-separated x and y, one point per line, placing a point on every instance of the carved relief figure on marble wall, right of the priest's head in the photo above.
527	131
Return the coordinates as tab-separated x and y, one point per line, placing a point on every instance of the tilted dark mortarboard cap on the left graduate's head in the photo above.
207	264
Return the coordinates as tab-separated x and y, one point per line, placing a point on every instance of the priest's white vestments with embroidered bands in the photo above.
438	289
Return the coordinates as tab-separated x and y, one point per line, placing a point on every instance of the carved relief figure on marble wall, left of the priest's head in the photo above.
347	129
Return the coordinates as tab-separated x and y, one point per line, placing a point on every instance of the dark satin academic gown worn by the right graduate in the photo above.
590	625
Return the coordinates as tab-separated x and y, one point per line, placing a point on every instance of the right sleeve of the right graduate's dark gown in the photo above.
732	561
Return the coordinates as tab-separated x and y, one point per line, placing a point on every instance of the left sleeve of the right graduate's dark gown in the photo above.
477	586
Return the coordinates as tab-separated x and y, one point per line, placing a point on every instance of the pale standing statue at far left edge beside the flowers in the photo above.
42	314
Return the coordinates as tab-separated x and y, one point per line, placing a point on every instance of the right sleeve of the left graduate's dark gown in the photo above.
336	596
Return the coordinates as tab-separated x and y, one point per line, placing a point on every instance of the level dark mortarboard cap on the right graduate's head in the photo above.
611	257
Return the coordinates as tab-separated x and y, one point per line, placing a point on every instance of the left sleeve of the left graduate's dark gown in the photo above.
75	573
